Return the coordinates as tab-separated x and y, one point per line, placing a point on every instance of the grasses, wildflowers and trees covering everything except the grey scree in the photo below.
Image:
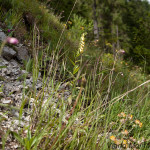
99	51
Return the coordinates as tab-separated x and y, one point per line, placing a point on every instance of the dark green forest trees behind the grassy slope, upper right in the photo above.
132	18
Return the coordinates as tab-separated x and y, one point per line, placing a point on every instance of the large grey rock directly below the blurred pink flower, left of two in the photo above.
8	53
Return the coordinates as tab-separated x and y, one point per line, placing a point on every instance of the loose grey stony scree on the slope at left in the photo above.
14	81
